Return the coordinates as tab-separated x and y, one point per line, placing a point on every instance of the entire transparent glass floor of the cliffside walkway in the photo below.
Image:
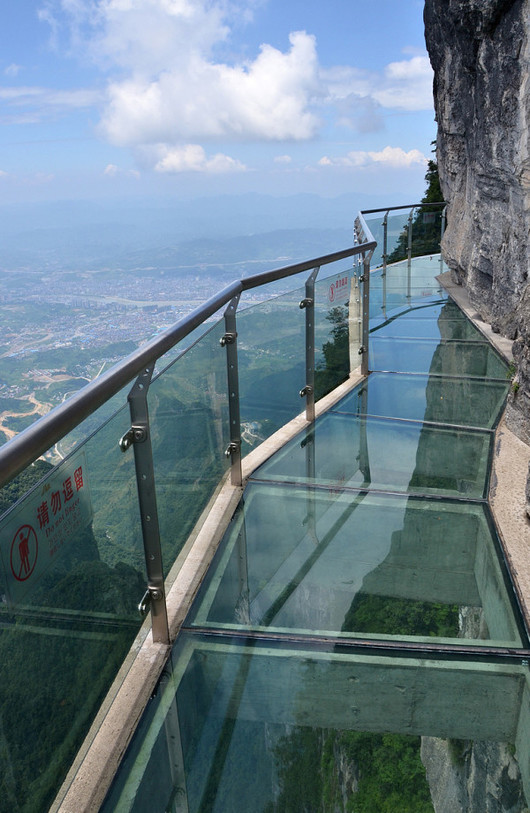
351	647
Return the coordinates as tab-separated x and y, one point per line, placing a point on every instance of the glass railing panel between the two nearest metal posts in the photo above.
188	407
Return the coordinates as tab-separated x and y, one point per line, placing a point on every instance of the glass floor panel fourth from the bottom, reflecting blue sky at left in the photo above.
462	401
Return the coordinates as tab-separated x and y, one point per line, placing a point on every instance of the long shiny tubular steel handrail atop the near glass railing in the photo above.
26	447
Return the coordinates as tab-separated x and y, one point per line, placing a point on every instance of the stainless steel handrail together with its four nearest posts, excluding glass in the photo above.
21	451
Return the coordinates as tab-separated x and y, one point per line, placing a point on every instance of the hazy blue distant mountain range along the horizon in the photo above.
171	232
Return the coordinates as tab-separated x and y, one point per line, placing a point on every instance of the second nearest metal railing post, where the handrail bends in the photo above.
229	340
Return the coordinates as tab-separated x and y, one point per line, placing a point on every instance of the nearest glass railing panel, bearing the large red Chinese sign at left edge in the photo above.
73	574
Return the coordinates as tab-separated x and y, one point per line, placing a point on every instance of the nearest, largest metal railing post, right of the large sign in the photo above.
139	437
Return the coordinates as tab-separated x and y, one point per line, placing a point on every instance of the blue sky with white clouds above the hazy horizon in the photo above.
114	99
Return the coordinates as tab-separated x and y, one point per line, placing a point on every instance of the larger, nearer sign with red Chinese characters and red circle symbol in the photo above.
46	524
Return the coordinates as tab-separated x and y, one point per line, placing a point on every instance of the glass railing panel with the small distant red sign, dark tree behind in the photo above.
338	326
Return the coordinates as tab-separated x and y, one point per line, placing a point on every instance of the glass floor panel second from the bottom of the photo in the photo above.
317	562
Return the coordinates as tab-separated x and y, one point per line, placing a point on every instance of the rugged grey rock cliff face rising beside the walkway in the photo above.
480	53
